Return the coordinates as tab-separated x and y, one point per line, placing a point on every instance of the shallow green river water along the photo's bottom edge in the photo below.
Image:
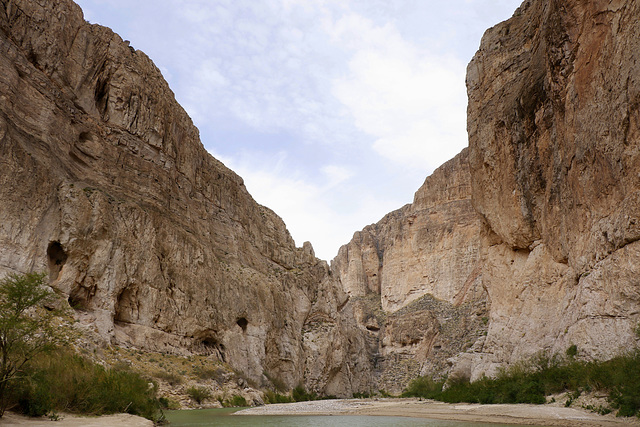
223	417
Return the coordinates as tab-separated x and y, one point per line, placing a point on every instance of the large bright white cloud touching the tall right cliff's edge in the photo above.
411	101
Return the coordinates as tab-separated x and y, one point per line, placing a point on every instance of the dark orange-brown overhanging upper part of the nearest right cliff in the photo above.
553	128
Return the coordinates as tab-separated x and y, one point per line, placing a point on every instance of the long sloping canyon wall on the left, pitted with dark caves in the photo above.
105	184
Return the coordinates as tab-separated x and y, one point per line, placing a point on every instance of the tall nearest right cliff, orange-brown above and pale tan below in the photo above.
554	134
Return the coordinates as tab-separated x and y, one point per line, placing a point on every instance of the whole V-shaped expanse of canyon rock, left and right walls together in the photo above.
526	242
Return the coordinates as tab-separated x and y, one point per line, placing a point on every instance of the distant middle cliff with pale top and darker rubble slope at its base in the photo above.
414	279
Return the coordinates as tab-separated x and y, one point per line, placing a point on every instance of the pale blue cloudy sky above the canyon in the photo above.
332	111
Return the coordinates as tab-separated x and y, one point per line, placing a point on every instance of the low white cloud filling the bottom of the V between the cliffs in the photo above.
305	206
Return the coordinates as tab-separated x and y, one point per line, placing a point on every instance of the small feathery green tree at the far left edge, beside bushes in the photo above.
26	327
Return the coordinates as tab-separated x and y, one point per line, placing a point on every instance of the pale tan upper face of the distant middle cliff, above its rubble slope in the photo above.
428	247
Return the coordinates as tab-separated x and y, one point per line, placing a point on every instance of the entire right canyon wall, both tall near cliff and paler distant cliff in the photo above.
542	224
